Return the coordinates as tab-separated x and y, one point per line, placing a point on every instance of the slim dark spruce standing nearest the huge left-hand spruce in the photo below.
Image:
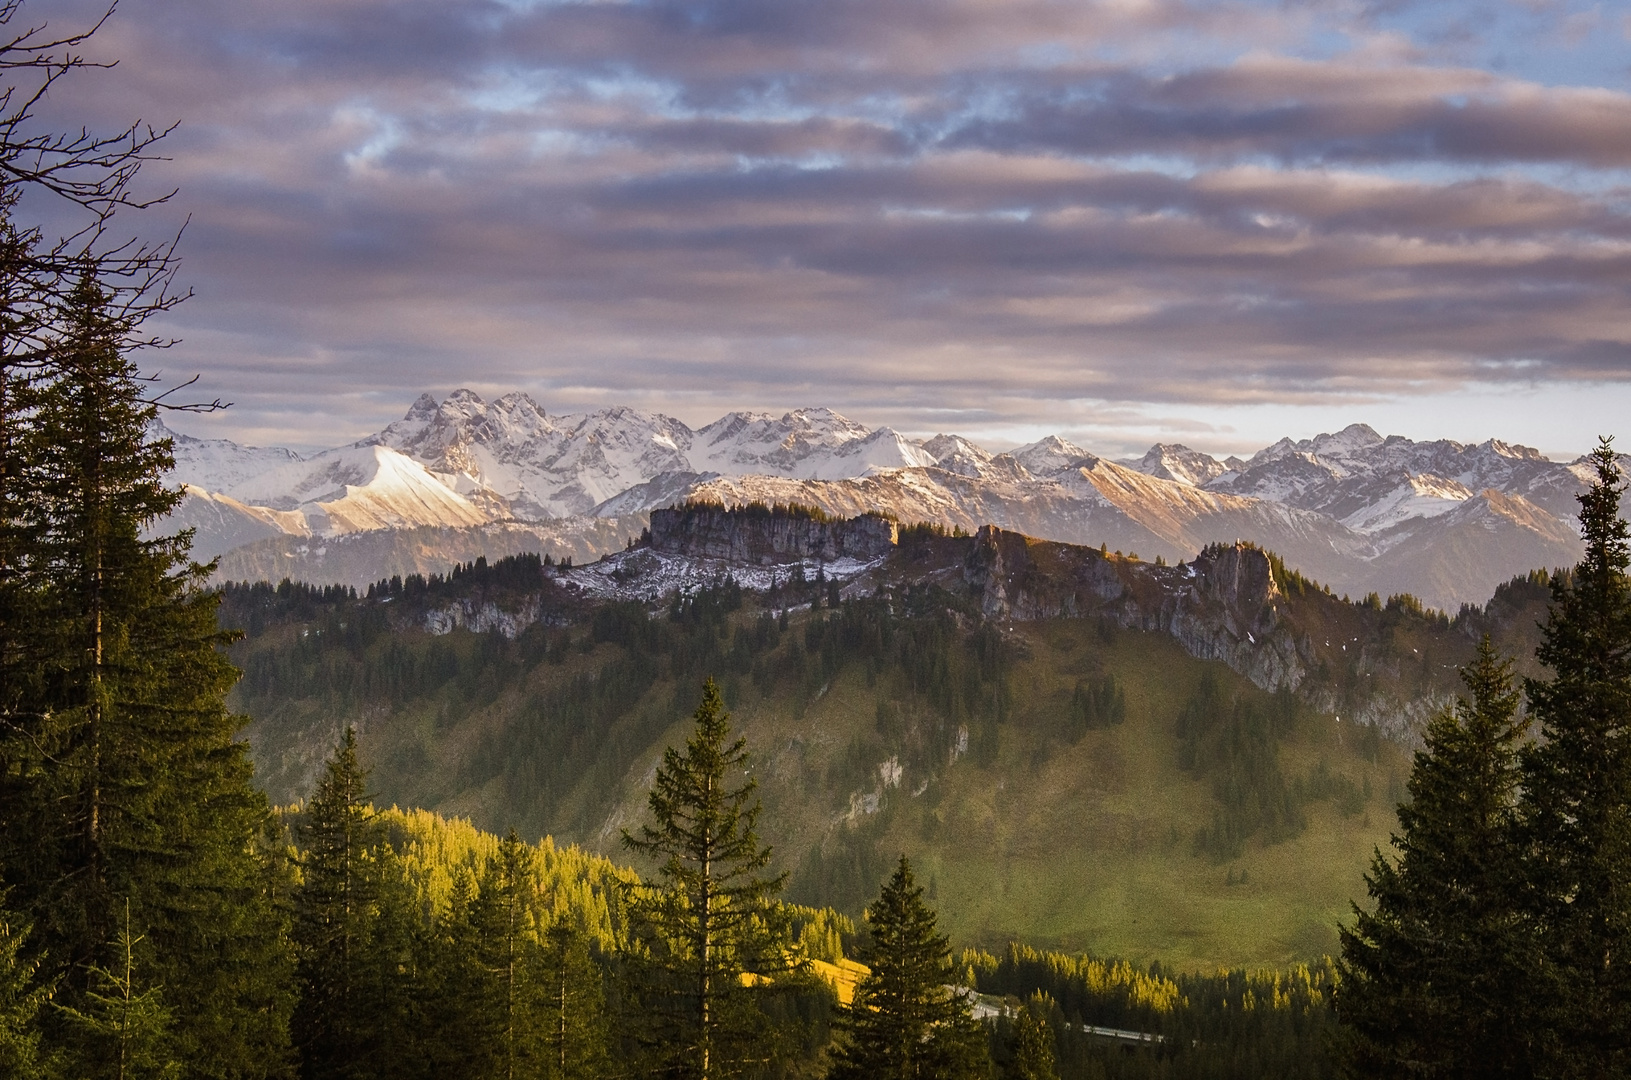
335	923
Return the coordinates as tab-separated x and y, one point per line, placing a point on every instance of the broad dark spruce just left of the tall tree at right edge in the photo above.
1433	975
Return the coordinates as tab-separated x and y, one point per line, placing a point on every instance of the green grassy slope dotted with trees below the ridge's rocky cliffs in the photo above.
1061	782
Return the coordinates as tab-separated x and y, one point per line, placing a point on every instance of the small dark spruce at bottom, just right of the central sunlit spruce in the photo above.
908	1020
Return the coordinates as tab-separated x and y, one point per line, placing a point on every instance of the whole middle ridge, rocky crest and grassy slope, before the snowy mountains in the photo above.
1077	748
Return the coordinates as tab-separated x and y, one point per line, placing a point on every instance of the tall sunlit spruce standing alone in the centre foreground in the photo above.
710	919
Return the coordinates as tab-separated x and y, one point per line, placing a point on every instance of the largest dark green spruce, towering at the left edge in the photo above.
128	779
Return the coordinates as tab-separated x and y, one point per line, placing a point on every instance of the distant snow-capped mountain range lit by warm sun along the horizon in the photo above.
464	477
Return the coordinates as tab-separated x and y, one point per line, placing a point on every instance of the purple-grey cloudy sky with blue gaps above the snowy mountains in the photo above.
1125	221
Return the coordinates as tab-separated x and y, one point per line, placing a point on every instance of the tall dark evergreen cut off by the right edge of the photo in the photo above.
1578	799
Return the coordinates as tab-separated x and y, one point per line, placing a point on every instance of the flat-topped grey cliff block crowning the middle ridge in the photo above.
761	538
